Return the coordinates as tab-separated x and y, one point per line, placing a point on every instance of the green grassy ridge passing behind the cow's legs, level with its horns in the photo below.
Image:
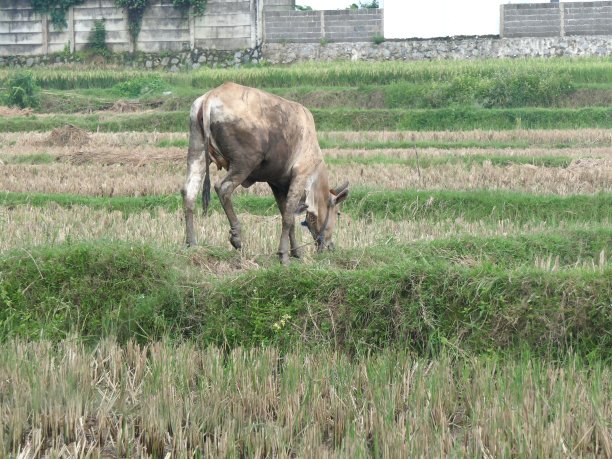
396	205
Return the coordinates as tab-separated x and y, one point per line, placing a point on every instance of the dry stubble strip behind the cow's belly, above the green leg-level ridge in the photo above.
134	175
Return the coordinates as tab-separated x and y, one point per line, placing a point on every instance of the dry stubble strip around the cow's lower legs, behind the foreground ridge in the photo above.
23	226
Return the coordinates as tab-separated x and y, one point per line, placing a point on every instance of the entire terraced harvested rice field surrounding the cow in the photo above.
466	310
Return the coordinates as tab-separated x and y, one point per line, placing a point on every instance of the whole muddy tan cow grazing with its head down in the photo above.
259	137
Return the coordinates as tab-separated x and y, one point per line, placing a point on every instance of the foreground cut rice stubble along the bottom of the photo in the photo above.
175	400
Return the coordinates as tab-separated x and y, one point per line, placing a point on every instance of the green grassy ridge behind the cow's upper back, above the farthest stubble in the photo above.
343	119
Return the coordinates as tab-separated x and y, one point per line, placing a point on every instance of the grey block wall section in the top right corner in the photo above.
556	19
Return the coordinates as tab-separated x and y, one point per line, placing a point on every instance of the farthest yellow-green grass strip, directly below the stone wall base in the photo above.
583	70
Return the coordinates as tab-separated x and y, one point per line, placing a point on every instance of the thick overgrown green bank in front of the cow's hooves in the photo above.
133	291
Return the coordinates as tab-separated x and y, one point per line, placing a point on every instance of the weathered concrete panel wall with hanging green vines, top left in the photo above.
226	25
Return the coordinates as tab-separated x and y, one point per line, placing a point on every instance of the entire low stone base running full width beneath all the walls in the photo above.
402	50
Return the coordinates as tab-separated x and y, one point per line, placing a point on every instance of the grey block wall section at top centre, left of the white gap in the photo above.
331	25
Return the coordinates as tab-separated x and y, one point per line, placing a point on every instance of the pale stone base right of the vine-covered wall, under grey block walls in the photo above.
460	48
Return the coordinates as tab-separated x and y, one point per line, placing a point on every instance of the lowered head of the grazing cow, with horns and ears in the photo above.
321	223
